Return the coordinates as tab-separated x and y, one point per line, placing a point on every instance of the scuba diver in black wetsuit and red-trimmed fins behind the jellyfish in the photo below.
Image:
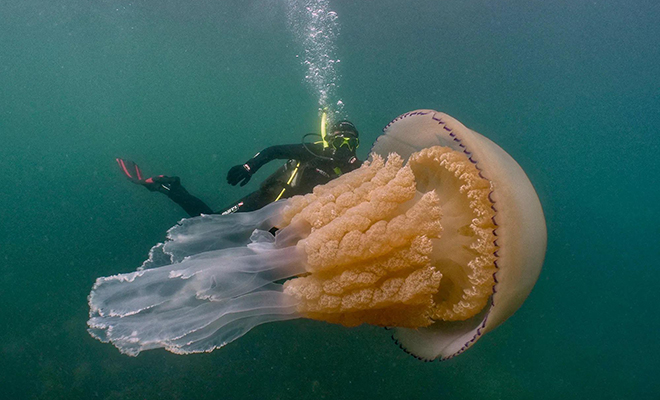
308	164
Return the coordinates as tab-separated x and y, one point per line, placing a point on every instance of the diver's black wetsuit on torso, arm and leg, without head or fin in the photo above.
306	167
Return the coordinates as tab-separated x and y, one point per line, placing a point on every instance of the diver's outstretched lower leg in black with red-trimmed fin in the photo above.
169	185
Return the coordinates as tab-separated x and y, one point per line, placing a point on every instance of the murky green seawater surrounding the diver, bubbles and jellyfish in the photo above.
570	88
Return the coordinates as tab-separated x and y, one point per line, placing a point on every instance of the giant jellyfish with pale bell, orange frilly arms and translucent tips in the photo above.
439	236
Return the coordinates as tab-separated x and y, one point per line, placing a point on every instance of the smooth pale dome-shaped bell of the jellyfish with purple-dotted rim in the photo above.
520	231
